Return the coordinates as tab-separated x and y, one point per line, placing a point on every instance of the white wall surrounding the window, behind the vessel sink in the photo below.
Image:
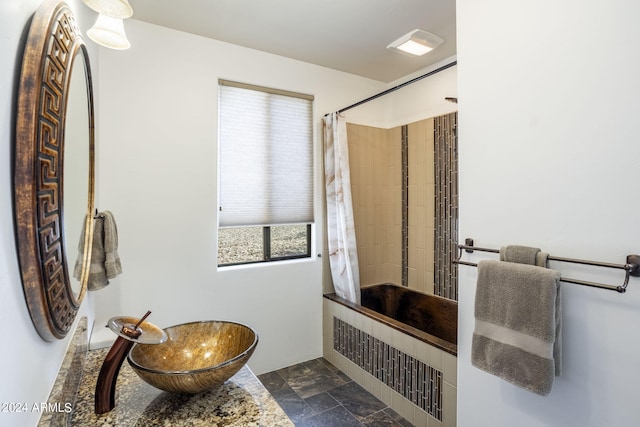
158	155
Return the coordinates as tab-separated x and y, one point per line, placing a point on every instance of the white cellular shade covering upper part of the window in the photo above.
265	160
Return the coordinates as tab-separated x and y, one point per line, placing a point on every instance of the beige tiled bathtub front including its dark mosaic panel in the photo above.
437	365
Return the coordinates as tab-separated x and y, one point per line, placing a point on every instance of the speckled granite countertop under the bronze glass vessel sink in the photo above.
241	401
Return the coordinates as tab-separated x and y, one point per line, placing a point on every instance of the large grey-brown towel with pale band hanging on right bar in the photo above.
517	322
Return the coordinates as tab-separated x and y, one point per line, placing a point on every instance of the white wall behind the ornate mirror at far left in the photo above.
28	365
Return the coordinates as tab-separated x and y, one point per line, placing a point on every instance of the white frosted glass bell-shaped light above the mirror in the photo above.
108	30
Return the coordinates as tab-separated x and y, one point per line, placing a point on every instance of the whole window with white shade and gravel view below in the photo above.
266	174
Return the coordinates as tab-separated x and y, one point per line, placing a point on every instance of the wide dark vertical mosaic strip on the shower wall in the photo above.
446	205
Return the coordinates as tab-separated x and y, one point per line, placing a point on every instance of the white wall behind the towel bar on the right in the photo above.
549	95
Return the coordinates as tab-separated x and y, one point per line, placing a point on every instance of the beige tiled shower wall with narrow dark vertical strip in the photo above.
379	208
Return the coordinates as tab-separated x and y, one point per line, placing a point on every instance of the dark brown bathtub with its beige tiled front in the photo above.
401	346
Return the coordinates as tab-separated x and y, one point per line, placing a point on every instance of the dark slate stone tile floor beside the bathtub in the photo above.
316	393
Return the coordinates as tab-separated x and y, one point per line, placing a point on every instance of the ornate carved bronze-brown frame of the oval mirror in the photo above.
53	45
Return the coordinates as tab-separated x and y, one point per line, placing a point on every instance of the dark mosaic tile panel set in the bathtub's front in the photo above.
414	380
